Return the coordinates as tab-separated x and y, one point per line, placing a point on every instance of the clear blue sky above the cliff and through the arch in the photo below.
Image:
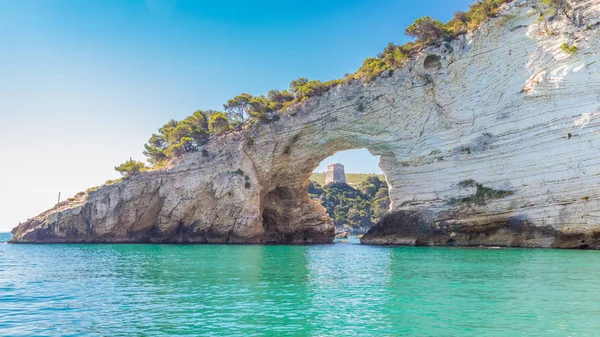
83	84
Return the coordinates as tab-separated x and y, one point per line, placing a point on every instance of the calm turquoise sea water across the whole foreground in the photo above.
332	290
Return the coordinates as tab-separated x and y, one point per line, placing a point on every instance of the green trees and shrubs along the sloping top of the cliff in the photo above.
178	137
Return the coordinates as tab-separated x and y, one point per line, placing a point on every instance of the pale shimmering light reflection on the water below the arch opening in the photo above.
348	276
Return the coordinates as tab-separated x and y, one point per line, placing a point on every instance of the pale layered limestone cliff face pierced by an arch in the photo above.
491	139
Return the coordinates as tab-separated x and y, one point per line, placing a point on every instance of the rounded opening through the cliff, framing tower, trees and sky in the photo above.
352	188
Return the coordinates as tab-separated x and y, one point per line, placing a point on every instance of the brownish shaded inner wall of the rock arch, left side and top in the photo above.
288	214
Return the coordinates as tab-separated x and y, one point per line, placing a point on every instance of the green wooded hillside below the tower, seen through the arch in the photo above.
353	209
